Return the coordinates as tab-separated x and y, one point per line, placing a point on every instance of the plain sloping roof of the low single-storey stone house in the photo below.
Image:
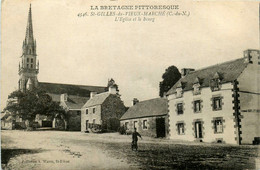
147	108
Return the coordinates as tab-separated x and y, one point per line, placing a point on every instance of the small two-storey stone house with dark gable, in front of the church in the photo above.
102	111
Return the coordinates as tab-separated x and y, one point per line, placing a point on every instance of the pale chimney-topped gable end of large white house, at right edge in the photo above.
249	101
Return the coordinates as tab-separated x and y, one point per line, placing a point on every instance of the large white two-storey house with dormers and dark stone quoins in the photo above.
220	103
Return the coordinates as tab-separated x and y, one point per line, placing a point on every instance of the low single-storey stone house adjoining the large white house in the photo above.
149	117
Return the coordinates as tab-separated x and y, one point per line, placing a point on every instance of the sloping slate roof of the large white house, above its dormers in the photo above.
228	72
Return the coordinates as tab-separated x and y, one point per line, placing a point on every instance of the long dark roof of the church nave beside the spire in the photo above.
70	89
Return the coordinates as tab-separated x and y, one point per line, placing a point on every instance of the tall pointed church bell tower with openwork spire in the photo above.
28	65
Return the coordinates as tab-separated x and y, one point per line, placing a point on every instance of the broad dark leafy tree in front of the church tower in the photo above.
28	104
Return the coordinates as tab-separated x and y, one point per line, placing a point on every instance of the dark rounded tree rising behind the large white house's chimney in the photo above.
170	77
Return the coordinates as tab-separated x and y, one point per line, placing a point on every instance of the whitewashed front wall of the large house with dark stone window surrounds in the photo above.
206	115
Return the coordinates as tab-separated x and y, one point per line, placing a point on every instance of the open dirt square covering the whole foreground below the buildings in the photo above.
75	150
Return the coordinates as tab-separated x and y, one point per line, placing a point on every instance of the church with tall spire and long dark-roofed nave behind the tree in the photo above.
71	97
